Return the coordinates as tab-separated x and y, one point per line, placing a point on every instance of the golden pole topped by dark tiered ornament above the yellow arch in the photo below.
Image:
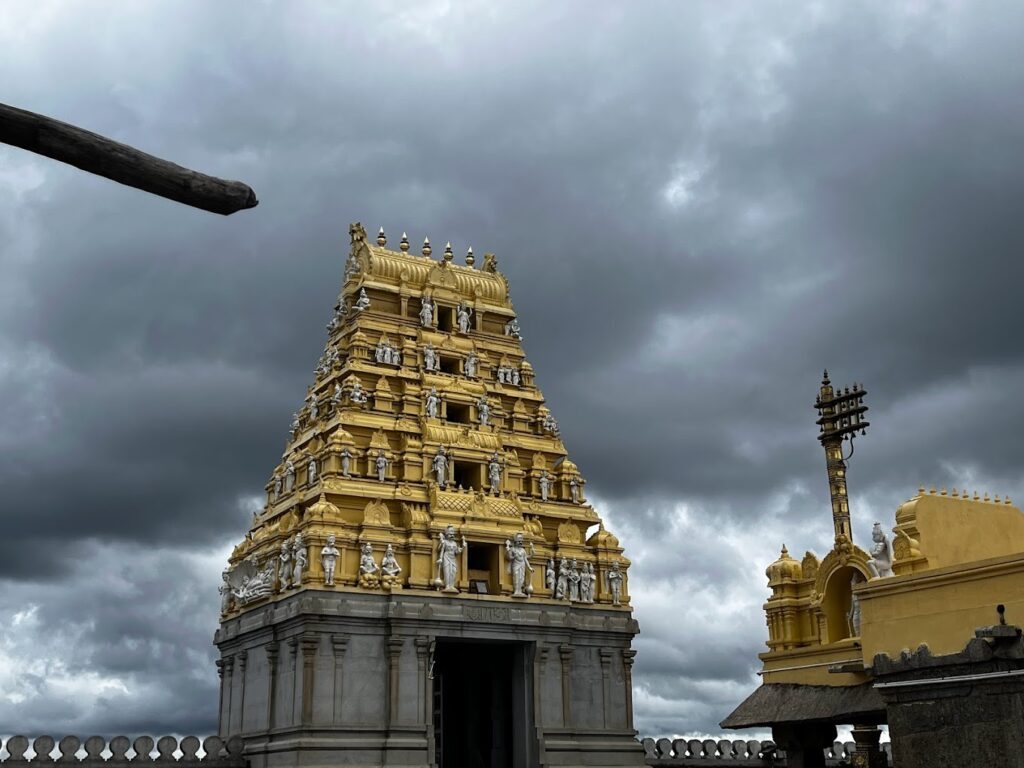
841	418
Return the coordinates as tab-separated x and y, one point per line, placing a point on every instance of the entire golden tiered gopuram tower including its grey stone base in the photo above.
426	584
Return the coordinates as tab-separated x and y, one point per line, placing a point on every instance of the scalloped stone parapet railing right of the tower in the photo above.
685	753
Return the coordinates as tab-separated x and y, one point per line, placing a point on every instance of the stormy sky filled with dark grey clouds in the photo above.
699	206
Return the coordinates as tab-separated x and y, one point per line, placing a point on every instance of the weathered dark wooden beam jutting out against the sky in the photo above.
121	163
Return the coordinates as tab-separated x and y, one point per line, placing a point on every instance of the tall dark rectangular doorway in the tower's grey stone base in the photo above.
483	709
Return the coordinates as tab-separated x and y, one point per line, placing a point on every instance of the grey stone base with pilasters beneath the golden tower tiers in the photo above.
351	678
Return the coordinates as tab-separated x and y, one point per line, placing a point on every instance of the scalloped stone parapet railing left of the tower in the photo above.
120	751
